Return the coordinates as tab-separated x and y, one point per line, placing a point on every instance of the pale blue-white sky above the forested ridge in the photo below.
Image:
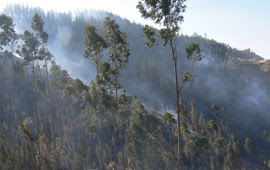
240	23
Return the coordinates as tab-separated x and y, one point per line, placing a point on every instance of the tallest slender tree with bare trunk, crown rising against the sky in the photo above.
168	13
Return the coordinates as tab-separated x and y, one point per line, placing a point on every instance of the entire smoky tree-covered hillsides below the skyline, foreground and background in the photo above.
83	91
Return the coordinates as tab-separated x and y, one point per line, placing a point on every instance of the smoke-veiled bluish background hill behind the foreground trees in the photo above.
235	79
